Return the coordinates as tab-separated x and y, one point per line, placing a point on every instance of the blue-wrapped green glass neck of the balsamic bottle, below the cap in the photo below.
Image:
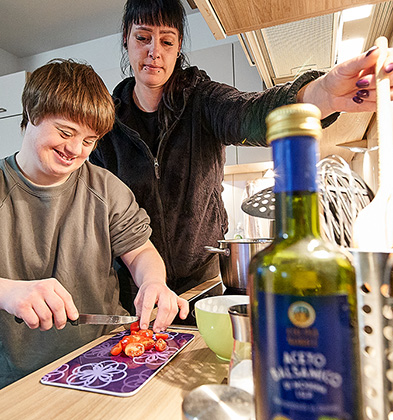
296	191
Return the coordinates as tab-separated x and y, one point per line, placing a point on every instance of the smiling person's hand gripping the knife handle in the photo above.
40	303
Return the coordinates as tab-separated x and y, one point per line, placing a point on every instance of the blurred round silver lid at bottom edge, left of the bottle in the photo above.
218	402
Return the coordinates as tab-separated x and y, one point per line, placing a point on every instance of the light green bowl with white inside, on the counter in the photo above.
214	323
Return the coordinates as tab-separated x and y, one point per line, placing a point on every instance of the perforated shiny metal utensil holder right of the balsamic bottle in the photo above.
375	318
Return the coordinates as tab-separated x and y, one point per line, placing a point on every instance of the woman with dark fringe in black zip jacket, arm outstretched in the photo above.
173	123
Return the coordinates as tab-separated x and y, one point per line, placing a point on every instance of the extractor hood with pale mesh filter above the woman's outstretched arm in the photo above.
282	52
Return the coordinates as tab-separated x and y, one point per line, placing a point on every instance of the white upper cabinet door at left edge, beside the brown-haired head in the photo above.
11	88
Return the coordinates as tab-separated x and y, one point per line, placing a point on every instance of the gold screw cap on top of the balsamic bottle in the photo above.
294	120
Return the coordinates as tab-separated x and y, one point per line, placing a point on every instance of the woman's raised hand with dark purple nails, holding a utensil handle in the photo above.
349	86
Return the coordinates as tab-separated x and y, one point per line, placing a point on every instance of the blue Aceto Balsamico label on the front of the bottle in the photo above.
305	347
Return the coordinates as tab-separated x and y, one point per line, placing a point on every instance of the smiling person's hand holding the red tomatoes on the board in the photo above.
168	303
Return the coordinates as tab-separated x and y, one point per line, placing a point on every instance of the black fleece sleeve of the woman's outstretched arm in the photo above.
238	118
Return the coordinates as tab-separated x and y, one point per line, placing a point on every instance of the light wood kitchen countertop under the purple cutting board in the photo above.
161	397
